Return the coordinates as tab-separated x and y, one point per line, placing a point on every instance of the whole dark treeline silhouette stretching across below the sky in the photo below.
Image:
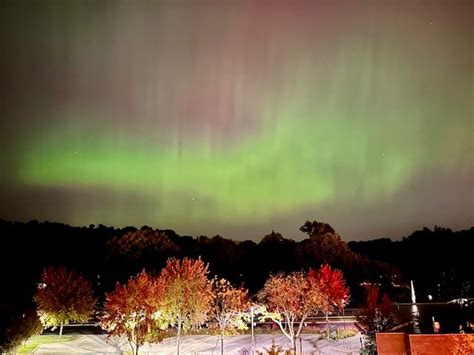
107	255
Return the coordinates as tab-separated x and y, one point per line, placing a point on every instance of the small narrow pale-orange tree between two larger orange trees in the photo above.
229	307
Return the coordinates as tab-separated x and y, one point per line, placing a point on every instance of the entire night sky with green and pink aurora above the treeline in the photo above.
239	117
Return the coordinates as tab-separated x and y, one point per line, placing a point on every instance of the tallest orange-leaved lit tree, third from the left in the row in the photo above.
188	294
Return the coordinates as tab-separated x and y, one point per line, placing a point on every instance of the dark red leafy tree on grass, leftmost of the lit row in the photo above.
63	296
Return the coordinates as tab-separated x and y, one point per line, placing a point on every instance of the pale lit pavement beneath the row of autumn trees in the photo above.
202	344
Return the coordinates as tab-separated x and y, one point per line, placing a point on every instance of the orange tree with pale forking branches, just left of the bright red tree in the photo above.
290	300
